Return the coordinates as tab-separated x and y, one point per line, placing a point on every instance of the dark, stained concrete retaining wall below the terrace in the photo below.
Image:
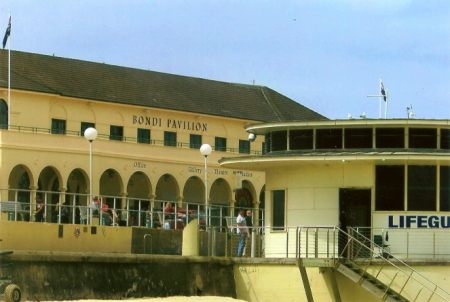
71	276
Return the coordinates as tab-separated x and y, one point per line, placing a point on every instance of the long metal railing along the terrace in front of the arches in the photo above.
122	211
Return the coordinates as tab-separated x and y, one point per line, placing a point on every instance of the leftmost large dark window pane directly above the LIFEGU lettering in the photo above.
389	188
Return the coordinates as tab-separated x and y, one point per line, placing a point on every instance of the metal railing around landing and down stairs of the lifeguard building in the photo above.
355	250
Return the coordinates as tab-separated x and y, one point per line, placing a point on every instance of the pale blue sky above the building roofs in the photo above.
325	54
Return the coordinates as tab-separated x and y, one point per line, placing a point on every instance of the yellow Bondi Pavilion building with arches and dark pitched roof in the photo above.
150	127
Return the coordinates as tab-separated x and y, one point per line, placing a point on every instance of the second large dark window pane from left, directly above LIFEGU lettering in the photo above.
421	188
